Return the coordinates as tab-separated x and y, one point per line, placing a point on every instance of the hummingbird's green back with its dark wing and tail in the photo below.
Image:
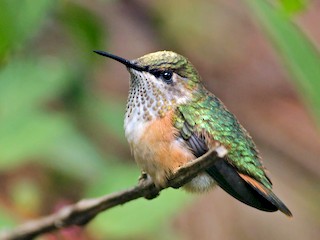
203	123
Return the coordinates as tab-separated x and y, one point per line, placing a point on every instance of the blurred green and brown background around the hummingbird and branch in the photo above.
62	107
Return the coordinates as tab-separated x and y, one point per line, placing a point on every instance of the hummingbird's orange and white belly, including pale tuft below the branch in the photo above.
159	152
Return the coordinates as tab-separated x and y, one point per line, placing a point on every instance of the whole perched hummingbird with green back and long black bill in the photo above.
171	119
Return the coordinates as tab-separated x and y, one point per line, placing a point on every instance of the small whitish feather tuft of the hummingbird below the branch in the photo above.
202	183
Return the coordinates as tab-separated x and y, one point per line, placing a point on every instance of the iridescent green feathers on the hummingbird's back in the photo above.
206	113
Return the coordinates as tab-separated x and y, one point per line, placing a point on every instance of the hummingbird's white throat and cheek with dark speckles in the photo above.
150	98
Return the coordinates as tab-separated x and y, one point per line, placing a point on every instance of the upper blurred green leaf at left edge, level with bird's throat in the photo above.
28	84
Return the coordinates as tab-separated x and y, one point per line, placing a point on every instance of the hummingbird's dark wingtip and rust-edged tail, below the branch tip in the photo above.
245	189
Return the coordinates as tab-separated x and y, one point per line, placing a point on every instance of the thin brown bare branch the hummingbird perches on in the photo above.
85	210
